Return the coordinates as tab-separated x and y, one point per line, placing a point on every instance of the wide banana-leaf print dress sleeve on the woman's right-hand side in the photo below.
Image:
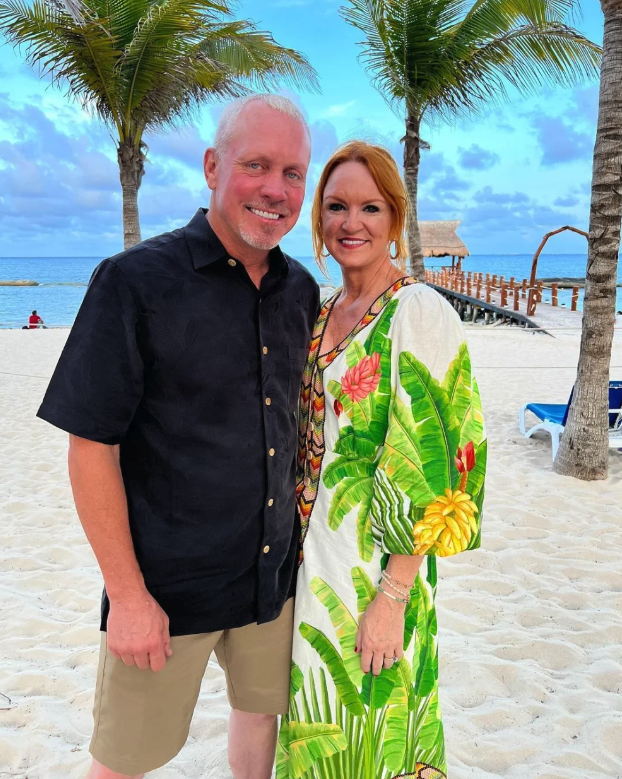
429	482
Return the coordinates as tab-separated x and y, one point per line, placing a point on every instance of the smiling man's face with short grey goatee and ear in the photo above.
258	182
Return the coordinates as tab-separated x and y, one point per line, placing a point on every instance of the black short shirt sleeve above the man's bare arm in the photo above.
98	381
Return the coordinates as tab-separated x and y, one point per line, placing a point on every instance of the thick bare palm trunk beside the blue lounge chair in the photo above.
584	451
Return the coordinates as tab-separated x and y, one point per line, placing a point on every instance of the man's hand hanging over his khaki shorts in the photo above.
138	632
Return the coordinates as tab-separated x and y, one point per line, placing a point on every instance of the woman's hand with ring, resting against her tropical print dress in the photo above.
380	639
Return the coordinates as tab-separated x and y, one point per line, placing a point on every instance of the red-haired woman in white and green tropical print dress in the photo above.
391	471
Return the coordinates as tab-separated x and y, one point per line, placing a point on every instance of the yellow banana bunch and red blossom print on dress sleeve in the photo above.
449	521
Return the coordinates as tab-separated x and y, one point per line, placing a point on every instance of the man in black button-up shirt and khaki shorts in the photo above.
179	388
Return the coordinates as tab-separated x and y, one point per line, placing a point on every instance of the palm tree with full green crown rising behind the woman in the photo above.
438	59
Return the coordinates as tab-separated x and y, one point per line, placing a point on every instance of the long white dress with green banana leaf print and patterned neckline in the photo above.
391	461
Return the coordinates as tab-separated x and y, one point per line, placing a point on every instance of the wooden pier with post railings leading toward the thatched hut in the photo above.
491	299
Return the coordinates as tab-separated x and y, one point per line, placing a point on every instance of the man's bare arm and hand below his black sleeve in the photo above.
137	626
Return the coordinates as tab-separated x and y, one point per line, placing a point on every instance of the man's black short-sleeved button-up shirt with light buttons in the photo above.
179	358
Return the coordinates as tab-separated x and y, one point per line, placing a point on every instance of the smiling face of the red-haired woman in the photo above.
356	219
